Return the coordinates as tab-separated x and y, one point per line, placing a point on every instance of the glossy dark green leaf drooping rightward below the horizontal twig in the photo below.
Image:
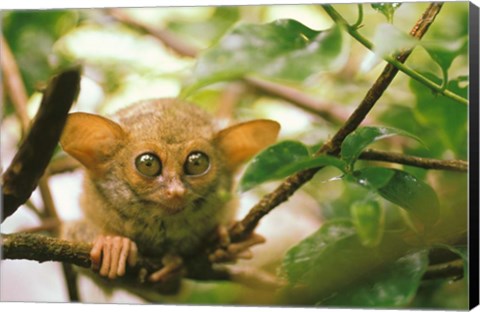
402	189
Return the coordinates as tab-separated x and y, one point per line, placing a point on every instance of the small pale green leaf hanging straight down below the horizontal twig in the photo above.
369	220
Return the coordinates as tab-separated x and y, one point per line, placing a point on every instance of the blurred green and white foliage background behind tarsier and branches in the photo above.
220	58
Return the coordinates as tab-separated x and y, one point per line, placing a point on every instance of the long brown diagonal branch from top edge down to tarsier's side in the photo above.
246	226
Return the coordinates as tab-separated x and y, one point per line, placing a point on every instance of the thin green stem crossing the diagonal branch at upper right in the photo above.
352	30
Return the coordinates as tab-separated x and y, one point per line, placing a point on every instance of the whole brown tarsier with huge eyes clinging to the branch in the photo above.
158	181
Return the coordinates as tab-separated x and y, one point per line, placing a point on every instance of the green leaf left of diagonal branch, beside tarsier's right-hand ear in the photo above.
281	160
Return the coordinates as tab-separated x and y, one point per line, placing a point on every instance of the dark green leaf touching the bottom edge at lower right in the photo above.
395	286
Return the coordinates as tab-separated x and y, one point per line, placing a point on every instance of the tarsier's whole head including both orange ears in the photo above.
162	154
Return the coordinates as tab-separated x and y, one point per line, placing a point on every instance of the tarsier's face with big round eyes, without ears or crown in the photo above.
172	176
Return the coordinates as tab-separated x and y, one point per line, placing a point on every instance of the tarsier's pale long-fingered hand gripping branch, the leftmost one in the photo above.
111	254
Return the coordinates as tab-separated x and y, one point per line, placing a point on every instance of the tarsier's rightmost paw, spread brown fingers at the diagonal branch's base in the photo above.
231	252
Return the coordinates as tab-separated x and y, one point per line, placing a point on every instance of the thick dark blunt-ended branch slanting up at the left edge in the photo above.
35	152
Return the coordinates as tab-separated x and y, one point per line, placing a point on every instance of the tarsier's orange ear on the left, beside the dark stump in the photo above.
91	139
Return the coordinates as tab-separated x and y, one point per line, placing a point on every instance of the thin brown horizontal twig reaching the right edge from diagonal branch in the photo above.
426	163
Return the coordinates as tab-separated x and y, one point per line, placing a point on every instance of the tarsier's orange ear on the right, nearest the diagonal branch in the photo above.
242	141
